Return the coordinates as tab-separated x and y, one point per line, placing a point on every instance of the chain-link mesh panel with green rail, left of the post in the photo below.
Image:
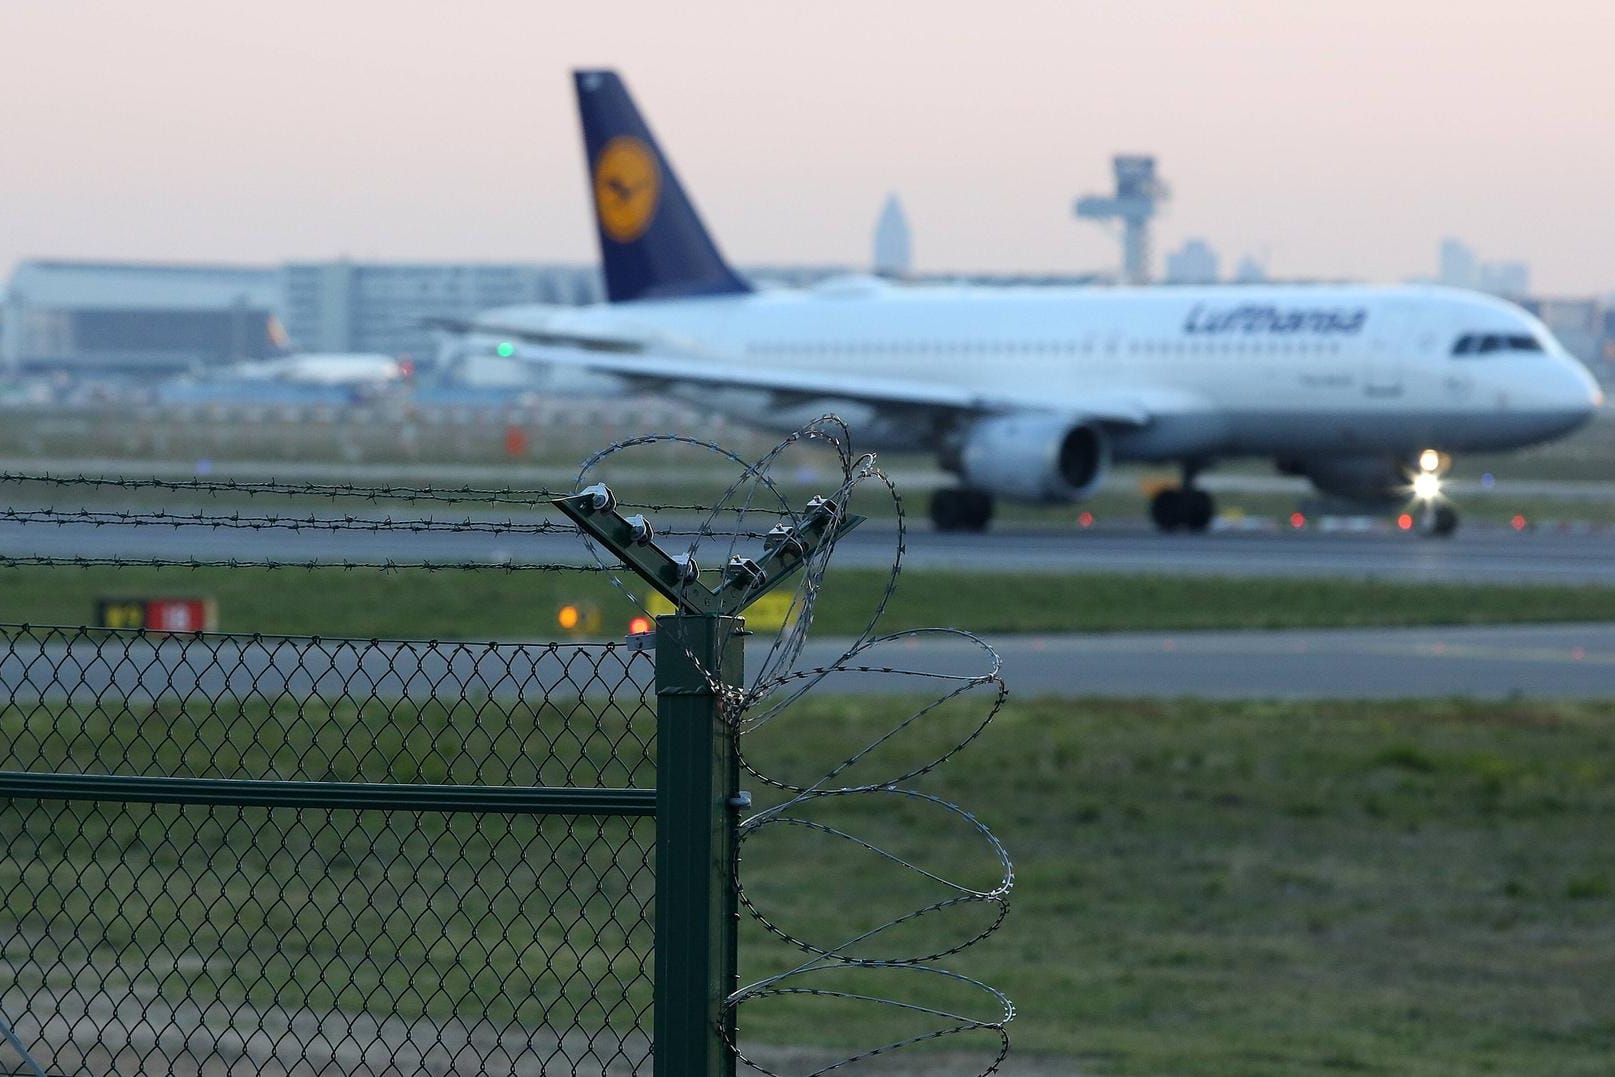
250	855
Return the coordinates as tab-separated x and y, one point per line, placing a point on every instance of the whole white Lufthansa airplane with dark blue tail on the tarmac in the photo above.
1033	393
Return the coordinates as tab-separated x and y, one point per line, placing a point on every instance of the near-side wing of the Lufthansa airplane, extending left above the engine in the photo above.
658	369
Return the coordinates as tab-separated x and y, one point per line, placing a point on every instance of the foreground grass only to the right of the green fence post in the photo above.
1243	891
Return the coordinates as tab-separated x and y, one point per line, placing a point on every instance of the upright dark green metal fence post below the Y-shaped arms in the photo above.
697	844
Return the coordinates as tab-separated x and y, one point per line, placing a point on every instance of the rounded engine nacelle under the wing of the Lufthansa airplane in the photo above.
1034	458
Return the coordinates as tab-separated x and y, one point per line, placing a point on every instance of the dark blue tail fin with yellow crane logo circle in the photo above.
653	243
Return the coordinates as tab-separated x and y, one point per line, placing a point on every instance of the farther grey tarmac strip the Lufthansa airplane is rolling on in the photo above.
1475	555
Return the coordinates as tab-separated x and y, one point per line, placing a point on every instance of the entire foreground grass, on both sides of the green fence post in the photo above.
1212	889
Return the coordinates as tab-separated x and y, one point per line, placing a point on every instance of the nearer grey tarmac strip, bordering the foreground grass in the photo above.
1483	663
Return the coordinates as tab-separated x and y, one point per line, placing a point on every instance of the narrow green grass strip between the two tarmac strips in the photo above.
522	606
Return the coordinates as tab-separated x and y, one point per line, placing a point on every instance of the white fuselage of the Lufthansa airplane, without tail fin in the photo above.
1215	372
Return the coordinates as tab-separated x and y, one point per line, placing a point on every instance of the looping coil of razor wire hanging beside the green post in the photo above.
779	682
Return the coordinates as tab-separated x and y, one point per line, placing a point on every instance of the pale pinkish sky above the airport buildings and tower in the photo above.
1338	140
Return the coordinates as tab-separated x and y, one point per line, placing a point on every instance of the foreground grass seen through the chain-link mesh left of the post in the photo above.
225	921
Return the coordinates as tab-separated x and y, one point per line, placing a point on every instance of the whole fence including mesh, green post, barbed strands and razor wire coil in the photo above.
285	857
